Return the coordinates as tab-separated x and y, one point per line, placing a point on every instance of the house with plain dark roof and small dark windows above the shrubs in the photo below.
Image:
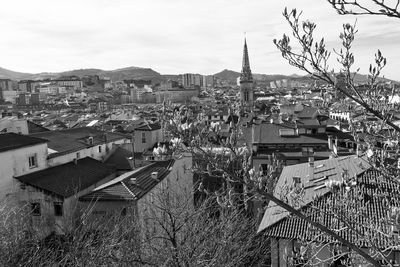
51	194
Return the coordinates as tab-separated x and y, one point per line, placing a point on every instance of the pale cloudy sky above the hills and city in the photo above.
175	36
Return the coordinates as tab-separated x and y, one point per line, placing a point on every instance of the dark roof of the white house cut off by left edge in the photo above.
10	141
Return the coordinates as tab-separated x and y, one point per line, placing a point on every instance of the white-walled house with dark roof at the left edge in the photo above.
19	155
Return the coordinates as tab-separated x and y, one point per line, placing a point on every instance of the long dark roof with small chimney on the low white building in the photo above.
70	140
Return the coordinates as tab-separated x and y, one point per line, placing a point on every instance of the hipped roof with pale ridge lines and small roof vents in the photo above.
132	185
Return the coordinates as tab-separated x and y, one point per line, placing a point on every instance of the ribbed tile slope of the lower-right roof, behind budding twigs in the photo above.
375	190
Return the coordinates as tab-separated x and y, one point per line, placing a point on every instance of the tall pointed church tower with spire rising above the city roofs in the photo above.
246	80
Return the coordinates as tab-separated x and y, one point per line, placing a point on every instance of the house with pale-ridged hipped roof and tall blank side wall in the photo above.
136	192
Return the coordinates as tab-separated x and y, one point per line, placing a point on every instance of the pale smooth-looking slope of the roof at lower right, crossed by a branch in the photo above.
313	179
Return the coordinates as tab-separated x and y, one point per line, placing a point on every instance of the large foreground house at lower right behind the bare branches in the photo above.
288	232
